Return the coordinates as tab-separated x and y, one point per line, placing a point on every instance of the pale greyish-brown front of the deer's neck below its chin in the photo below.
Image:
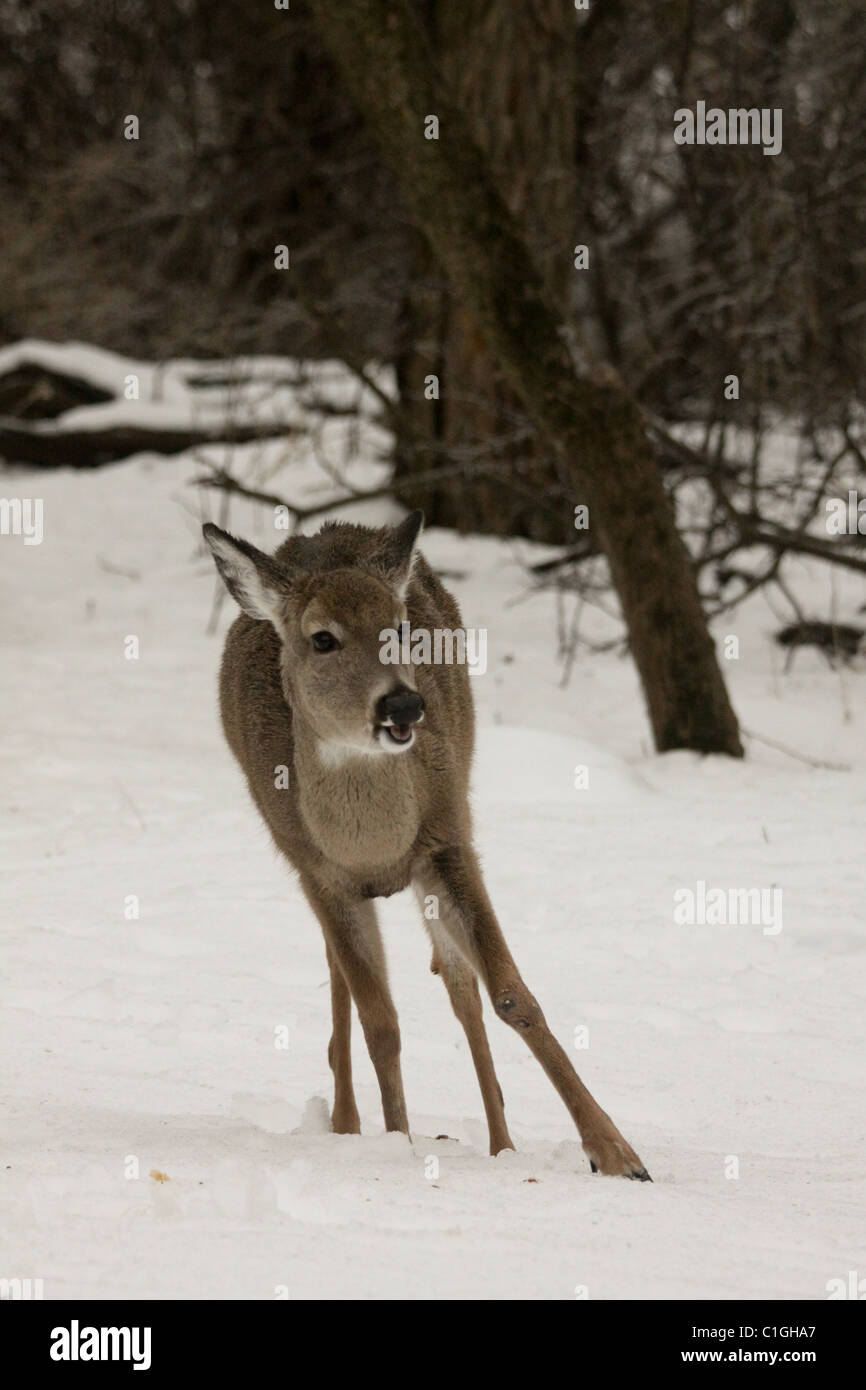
361	810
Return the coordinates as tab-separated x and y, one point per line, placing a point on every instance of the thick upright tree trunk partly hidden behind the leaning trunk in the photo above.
511	70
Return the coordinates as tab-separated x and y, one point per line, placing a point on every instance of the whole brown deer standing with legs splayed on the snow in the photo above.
372	799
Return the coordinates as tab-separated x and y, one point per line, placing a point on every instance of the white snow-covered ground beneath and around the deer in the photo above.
140	1046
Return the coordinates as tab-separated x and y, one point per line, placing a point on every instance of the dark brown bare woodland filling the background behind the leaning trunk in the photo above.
701	263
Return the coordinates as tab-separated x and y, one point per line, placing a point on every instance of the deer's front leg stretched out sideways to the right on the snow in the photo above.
476	932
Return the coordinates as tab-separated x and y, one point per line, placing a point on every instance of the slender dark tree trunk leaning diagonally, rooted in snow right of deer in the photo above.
593	427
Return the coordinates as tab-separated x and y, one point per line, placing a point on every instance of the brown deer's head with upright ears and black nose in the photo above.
330	625
